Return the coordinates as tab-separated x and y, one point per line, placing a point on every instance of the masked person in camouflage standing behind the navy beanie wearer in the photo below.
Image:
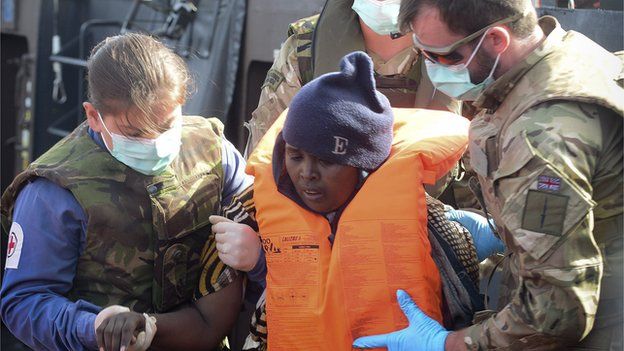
315	46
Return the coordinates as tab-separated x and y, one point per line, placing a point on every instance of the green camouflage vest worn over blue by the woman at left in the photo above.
145	234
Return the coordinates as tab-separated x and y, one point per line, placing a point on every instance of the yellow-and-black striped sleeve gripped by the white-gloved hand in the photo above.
215	274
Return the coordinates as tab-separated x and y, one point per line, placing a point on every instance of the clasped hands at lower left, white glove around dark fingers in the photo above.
126	330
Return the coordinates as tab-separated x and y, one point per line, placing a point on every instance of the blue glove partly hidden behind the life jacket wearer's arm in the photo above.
485	241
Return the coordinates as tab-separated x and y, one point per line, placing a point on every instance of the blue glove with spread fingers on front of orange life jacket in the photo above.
422	334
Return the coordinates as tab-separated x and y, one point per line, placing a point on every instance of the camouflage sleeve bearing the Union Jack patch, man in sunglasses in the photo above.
543	180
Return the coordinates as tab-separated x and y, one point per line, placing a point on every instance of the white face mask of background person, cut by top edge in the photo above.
380	16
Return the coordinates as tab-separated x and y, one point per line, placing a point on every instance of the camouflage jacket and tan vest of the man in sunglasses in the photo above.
548	152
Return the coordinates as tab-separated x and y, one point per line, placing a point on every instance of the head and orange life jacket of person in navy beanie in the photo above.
341	215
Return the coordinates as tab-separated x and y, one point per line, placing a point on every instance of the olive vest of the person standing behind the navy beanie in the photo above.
322	42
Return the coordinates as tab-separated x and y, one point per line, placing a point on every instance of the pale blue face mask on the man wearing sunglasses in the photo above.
455	82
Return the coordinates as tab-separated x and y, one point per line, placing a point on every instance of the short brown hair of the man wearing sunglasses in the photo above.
468	16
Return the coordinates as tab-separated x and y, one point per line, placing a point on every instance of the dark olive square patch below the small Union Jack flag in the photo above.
550	209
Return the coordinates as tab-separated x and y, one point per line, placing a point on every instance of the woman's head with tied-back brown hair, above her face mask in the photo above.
136	71
